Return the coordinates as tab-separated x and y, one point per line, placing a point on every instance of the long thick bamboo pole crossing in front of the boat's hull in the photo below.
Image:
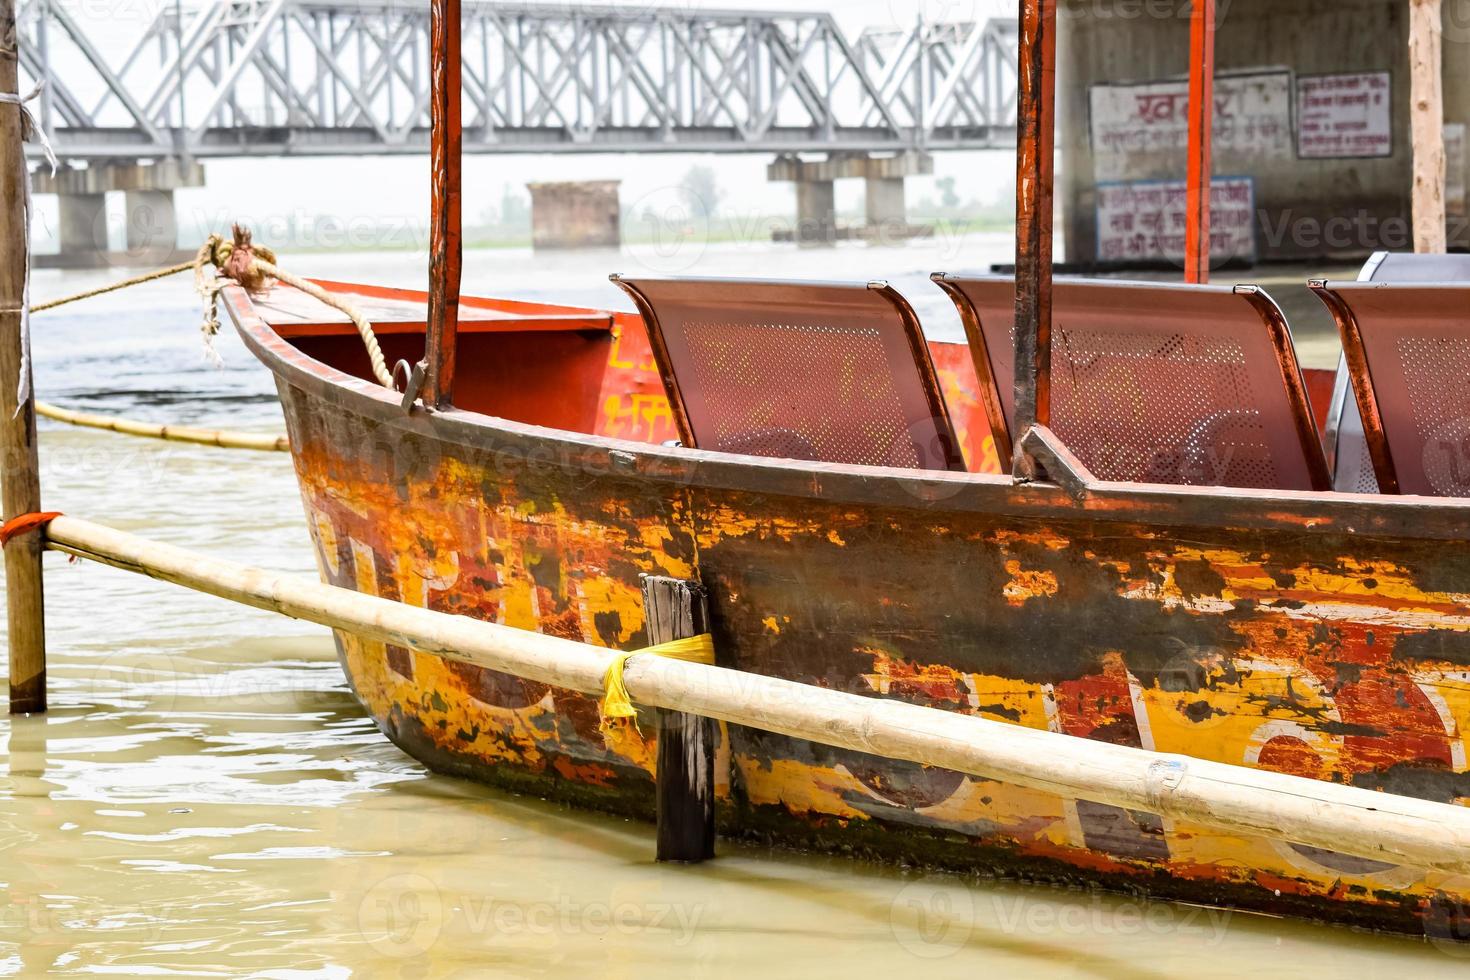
1224	799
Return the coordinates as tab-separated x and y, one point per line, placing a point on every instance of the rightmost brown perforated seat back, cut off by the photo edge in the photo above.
1409	350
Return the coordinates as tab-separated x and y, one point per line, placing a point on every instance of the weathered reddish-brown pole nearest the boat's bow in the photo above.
445	226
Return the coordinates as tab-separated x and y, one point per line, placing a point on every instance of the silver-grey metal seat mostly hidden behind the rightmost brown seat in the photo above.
1353	469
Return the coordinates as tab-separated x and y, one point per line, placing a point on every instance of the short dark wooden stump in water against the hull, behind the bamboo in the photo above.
684	777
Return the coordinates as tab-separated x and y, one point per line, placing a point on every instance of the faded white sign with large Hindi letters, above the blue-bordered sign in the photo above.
1143	131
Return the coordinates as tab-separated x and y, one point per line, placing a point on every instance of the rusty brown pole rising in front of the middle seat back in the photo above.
1036	131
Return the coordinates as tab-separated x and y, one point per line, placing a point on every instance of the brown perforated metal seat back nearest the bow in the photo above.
803	371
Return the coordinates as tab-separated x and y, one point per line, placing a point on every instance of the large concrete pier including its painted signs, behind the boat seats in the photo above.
1312	114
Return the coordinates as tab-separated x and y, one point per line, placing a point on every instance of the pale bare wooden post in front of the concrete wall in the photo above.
1428	124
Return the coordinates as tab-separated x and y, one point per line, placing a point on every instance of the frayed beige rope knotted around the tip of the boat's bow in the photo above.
252	267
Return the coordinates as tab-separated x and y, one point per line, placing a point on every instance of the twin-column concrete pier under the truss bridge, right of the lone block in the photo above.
817	195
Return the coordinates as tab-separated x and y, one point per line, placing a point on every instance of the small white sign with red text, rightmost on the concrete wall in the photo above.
1344	117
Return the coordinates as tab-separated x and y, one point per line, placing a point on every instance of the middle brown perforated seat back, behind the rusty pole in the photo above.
1156	383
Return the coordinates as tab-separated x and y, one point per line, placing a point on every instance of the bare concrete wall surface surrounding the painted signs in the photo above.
1305	208
